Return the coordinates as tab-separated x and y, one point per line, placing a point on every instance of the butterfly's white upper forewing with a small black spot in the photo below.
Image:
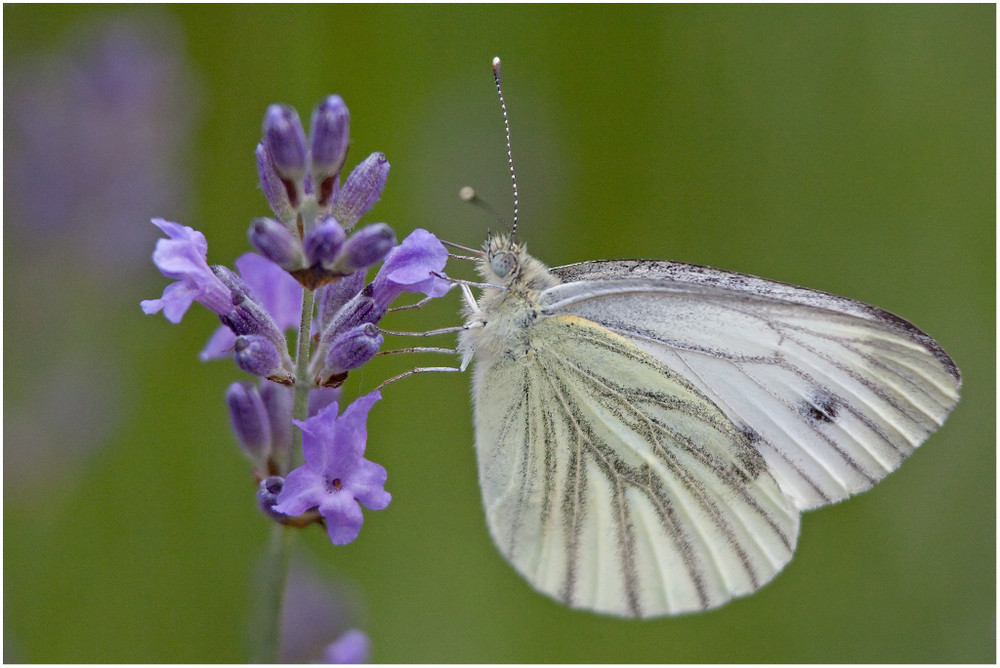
833	393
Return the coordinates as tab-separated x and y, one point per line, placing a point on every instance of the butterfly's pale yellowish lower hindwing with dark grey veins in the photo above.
613	484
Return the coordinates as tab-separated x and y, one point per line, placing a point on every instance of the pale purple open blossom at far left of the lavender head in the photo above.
183	257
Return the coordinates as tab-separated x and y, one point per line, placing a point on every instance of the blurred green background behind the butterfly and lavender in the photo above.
845	148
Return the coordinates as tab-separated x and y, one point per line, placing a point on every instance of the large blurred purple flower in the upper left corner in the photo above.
95	137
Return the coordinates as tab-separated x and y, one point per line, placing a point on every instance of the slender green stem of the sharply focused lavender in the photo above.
272	582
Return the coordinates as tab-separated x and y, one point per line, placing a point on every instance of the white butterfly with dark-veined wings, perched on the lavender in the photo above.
649	432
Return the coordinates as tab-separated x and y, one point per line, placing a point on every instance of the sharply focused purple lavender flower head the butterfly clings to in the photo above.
306	249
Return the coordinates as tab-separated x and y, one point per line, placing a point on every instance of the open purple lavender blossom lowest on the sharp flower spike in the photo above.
336	476
